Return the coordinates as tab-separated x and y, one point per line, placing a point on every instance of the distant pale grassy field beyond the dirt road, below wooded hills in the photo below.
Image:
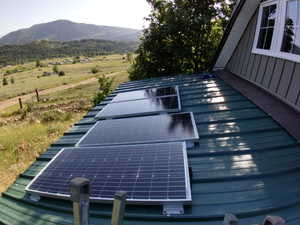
31	78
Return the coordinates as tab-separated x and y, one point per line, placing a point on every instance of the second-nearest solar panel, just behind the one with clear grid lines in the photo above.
148	129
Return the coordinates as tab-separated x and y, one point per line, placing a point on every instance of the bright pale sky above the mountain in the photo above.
18	14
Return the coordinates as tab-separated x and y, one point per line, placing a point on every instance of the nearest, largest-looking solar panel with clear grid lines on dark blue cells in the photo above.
155	173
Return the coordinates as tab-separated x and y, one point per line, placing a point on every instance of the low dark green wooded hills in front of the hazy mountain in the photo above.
38	50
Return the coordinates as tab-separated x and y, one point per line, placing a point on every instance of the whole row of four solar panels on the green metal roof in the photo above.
130	150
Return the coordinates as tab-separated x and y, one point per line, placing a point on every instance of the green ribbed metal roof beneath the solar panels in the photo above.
244	163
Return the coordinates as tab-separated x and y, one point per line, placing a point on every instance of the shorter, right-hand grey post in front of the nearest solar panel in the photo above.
119	208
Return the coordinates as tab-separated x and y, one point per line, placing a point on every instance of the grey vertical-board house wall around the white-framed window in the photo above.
278	76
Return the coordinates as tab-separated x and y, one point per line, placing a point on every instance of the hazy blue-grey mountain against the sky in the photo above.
64	30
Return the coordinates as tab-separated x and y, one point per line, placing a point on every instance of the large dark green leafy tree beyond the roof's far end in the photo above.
182	37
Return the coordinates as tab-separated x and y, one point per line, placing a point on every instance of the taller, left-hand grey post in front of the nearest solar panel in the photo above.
80	195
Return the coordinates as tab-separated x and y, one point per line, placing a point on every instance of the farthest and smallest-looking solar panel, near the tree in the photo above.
146	93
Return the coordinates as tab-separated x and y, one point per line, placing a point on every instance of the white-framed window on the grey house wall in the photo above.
278	29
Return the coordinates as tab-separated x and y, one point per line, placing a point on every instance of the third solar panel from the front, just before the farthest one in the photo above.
147	106
